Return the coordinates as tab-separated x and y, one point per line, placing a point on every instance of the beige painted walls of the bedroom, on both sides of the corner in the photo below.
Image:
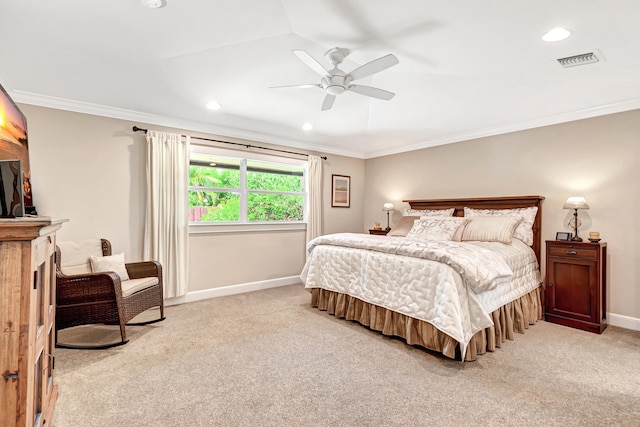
90	169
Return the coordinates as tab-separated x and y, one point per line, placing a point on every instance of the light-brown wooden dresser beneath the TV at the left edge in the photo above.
27	315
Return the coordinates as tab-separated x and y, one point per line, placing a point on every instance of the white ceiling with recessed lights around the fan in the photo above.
467	68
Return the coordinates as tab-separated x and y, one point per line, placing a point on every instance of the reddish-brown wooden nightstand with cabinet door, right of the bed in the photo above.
577	285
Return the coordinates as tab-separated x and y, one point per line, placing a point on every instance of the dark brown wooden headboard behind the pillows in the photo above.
490	203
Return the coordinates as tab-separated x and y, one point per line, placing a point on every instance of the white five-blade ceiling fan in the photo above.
335	81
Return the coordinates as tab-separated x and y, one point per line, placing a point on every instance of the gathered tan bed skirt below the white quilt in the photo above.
515	316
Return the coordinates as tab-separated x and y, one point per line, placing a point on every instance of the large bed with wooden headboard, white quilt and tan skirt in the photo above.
459	298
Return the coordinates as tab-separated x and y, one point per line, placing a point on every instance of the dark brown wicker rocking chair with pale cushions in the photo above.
85	298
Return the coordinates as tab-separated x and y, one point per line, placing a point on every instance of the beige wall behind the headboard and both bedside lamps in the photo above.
596	158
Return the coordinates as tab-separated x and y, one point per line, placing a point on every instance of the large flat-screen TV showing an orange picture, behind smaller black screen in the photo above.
14	144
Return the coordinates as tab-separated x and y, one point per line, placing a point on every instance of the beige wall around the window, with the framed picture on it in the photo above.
91	170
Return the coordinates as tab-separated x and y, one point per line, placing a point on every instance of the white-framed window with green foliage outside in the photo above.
229	188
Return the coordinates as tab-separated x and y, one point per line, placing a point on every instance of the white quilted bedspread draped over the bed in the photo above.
452	285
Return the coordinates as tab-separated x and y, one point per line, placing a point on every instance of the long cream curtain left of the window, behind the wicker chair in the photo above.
166	232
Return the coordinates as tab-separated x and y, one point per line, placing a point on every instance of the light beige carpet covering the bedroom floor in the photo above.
268	359
